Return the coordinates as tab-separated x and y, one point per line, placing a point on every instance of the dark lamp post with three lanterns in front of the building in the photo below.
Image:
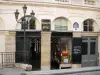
24	23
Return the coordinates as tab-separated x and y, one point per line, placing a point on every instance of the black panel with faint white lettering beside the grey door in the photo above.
77	50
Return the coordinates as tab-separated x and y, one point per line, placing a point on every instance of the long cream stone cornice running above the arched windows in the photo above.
50	4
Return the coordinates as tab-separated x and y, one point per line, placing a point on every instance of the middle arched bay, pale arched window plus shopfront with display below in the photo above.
61	40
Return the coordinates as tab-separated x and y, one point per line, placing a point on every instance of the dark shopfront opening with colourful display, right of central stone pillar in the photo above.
60	42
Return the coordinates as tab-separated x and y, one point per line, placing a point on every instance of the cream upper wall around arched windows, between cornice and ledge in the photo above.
44	12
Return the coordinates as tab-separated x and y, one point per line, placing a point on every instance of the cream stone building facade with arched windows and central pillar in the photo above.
81	18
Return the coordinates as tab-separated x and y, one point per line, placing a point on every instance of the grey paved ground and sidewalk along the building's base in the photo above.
78	71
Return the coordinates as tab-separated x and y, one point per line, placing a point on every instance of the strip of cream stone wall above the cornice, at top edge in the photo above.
72	2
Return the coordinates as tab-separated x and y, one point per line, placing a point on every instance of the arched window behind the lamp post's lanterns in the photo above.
32	24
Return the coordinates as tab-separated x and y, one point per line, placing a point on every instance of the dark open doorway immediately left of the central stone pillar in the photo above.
35	53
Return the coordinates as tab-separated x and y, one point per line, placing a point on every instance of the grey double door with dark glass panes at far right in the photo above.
89	51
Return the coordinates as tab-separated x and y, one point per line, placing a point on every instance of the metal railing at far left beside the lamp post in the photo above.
8	59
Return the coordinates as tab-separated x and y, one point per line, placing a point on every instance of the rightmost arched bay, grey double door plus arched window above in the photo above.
89	44
